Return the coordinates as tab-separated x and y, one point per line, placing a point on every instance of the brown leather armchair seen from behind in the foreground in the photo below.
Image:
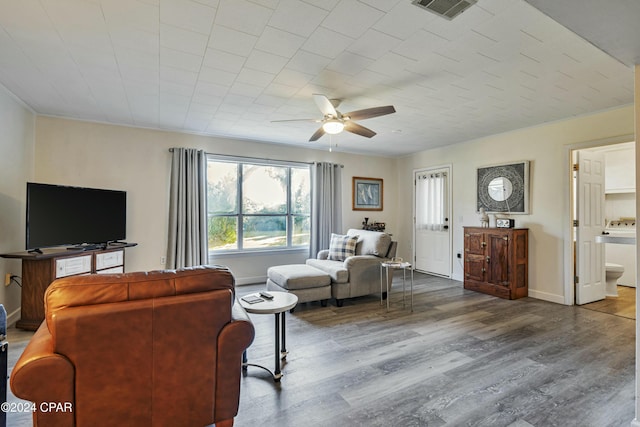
162	348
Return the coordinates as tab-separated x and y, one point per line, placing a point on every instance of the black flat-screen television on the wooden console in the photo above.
61	215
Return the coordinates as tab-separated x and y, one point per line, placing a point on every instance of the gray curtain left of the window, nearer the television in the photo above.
187	209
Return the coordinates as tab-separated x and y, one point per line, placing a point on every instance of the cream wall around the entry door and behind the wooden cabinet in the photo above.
545	147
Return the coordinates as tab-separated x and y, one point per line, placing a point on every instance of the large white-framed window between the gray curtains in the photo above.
257	204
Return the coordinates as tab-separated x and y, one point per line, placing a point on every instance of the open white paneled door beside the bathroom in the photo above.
590	269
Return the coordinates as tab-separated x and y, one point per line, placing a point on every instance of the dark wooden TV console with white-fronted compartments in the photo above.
40	269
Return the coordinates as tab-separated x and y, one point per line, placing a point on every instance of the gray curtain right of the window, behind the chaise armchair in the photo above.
326	205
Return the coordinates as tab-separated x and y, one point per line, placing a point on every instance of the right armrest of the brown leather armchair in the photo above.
233	340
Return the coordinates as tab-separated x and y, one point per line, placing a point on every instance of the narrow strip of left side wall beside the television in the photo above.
16	168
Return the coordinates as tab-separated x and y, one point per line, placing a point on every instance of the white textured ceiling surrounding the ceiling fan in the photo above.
229	67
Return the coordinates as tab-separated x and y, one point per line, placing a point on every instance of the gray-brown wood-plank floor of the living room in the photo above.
460	359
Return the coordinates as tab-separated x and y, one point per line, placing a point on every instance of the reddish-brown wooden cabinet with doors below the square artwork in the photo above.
496	261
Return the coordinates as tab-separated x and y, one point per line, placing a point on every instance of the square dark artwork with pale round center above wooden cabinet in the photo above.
504	188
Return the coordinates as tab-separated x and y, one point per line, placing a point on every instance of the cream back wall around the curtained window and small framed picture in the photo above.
137	160
